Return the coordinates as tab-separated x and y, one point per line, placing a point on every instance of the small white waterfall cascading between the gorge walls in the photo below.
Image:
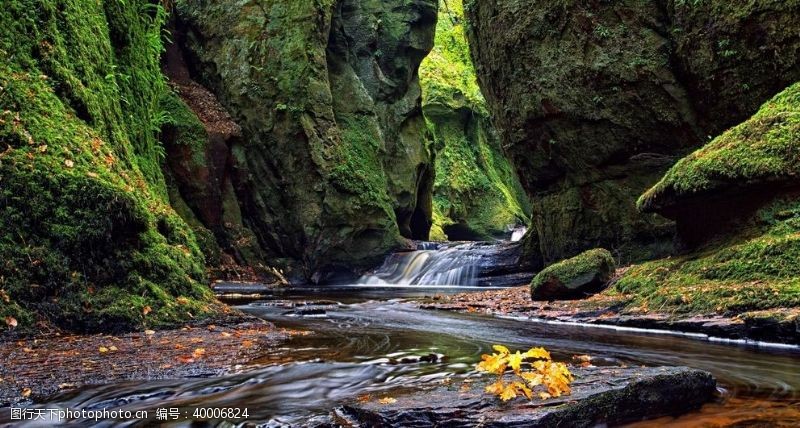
431	265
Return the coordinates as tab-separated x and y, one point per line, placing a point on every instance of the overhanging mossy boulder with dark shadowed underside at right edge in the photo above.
736	173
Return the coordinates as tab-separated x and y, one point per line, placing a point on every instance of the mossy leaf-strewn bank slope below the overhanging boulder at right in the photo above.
742	273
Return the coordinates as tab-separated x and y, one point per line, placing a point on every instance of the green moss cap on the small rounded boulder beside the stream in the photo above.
592	263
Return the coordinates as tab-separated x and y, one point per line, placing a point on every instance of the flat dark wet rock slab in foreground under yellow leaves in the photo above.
599	396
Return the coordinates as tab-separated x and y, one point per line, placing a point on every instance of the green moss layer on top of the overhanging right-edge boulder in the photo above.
762	149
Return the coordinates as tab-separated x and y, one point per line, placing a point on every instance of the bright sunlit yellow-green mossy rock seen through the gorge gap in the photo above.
477	194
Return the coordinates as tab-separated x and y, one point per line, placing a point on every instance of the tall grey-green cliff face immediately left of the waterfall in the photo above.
333	167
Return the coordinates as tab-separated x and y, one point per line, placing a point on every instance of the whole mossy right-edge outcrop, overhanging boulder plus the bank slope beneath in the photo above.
736	202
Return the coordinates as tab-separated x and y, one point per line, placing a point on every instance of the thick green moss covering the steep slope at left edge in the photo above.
87	237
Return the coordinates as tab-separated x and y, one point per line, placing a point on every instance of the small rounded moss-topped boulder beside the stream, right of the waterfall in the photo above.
575	278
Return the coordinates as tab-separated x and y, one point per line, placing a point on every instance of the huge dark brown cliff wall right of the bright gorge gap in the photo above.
595	101
